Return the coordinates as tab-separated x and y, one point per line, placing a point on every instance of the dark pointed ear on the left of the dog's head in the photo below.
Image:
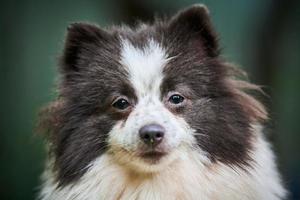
81	41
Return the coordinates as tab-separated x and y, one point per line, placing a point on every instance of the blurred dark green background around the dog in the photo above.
262	36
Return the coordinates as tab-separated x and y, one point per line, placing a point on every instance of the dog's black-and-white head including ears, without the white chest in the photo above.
145	96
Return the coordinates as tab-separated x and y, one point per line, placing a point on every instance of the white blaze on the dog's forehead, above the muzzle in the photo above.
145	66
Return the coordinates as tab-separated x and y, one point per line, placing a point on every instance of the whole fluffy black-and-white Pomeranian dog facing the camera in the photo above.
152	112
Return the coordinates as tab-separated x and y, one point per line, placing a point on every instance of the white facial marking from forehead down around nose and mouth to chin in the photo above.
145	68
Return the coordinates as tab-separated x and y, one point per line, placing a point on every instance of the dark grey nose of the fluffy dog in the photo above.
152	134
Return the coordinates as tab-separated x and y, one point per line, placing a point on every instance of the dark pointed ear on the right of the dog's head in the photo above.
194	23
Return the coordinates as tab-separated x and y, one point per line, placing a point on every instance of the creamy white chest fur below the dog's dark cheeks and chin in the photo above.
186	179
